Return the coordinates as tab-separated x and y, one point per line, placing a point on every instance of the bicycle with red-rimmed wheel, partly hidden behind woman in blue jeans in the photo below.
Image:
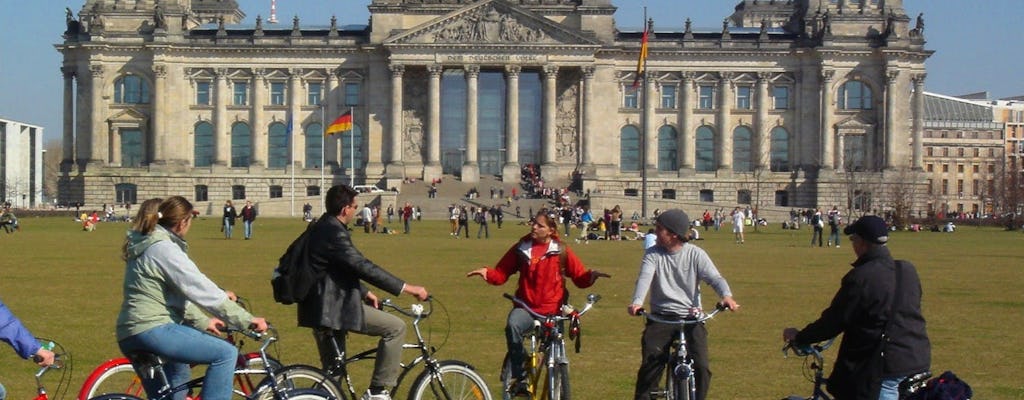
118	376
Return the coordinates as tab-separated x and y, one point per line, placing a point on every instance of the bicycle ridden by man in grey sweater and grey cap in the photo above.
680	383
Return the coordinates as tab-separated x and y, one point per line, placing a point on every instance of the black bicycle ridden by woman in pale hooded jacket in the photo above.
271	389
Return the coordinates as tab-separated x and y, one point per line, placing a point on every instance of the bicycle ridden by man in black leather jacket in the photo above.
449	380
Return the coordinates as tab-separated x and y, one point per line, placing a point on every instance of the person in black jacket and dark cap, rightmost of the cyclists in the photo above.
884	339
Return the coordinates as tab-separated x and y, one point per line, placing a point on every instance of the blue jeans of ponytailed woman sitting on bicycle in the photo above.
181	346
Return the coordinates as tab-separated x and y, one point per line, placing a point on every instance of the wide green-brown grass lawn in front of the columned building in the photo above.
66	285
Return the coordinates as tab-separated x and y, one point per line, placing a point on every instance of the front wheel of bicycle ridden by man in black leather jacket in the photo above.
459	381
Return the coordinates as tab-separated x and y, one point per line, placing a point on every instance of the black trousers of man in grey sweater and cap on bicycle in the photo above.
656	345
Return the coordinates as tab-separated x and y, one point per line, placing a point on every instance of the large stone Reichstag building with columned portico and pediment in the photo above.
801	102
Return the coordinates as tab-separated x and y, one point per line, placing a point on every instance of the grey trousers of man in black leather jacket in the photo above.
391	329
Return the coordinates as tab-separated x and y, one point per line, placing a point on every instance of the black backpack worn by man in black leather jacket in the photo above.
294	276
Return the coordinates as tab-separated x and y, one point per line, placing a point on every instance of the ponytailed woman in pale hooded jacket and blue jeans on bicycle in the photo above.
164	289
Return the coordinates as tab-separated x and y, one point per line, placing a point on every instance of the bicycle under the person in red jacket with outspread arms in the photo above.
552	345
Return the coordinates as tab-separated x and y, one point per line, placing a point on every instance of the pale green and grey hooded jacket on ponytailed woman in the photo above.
163	286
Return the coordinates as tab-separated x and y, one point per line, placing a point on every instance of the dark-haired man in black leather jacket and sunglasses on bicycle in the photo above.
340	302
